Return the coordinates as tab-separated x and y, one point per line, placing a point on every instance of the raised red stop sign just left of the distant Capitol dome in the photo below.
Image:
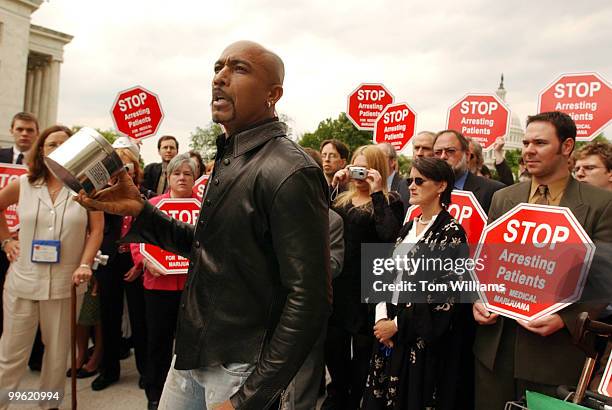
482	117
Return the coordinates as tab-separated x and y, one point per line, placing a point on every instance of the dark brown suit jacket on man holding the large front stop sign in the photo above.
553	359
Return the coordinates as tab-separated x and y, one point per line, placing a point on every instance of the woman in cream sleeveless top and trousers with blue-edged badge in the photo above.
57	242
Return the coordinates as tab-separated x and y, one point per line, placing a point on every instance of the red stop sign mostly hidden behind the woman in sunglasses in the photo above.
466	209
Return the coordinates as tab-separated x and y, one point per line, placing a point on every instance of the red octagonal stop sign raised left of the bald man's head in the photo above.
137	113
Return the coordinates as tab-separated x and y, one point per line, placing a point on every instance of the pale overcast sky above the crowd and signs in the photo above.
427	54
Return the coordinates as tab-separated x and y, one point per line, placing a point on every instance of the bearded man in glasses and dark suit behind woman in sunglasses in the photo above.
453	147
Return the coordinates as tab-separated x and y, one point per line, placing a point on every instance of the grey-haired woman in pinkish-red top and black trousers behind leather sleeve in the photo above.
163	291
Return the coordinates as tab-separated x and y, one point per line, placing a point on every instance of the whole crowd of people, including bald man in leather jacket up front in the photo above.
273	296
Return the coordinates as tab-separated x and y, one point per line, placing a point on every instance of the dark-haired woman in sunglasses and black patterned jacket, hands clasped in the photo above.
413	364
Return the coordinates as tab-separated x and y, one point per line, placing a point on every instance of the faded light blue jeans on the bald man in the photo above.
203	388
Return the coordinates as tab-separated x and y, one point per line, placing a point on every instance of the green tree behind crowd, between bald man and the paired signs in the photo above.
341	129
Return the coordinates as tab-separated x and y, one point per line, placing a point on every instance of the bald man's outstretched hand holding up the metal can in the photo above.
123	198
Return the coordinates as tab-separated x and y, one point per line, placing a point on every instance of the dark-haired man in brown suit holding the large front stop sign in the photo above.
514	356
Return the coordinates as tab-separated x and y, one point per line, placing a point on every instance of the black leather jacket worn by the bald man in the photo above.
258	289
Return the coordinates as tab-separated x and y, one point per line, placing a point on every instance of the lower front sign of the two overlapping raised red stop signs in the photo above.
395	125
